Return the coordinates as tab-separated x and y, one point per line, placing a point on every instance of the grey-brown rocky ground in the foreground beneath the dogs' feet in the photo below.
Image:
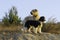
28	36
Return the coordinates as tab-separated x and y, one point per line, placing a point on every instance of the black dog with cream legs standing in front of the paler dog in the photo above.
35	24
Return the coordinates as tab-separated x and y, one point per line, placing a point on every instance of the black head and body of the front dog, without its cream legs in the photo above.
34	23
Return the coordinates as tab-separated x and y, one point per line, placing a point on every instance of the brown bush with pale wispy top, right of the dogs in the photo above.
51	26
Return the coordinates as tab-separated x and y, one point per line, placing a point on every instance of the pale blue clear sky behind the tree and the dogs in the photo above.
47	8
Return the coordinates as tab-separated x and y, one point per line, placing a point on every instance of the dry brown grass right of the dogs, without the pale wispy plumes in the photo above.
51	28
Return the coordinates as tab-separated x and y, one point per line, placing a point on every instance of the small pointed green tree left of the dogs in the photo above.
12	18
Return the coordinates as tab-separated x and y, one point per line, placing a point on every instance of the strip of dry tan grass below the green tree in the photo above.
10	28
